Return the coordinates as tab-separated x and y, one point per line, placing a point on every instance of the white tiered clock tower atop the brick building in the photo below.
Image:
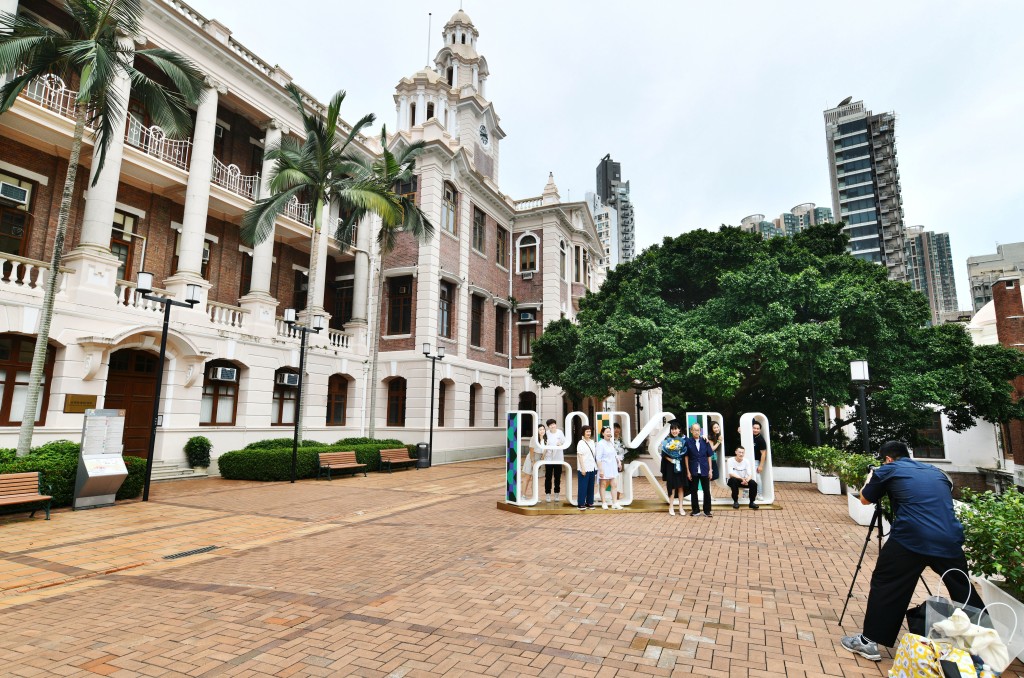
450	102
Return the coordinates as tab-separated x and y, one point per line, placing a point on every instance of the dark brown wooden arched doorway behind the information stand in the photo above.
132	384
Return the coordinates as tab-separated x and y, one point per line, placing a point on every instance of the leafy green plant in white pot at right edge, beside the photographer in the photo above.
994	543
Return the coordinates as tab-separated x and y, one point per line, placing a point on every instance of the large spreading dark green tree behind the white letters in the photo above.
731	323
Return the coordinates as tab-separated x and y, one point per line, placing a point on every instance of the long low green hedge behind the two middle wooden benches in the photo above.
276	463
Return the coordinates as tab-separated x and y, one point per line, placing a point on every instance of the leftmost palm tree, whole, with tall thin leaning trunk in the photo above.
93	51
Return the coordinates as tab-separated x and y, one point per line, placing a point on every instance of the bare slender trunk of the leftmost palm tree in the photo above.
50	294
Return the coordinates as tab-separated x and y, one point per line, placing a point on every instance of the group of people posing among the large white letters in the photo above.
688	465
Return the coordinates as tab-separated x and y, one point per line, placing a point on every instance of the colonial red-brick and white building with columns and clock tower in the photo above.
484	286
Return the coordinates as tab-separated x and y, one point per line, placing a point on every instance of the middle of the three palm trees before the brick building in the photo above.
322	171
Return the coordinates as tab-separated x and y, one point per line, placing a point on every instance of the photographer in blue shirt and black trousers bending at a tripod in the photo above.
925	534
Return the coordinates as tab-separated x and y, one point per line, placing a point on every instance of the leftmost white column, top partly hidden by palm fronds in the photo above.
98	220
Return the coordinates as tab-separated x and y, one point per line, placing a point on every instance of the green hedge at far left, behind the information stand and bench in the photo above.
58	463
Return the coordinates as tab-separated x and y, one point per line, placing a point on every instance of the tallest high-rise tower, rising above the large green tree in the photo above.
865	179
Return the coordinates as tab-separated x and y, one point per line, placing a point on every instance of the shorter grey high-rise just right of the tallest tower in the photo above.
930	264
